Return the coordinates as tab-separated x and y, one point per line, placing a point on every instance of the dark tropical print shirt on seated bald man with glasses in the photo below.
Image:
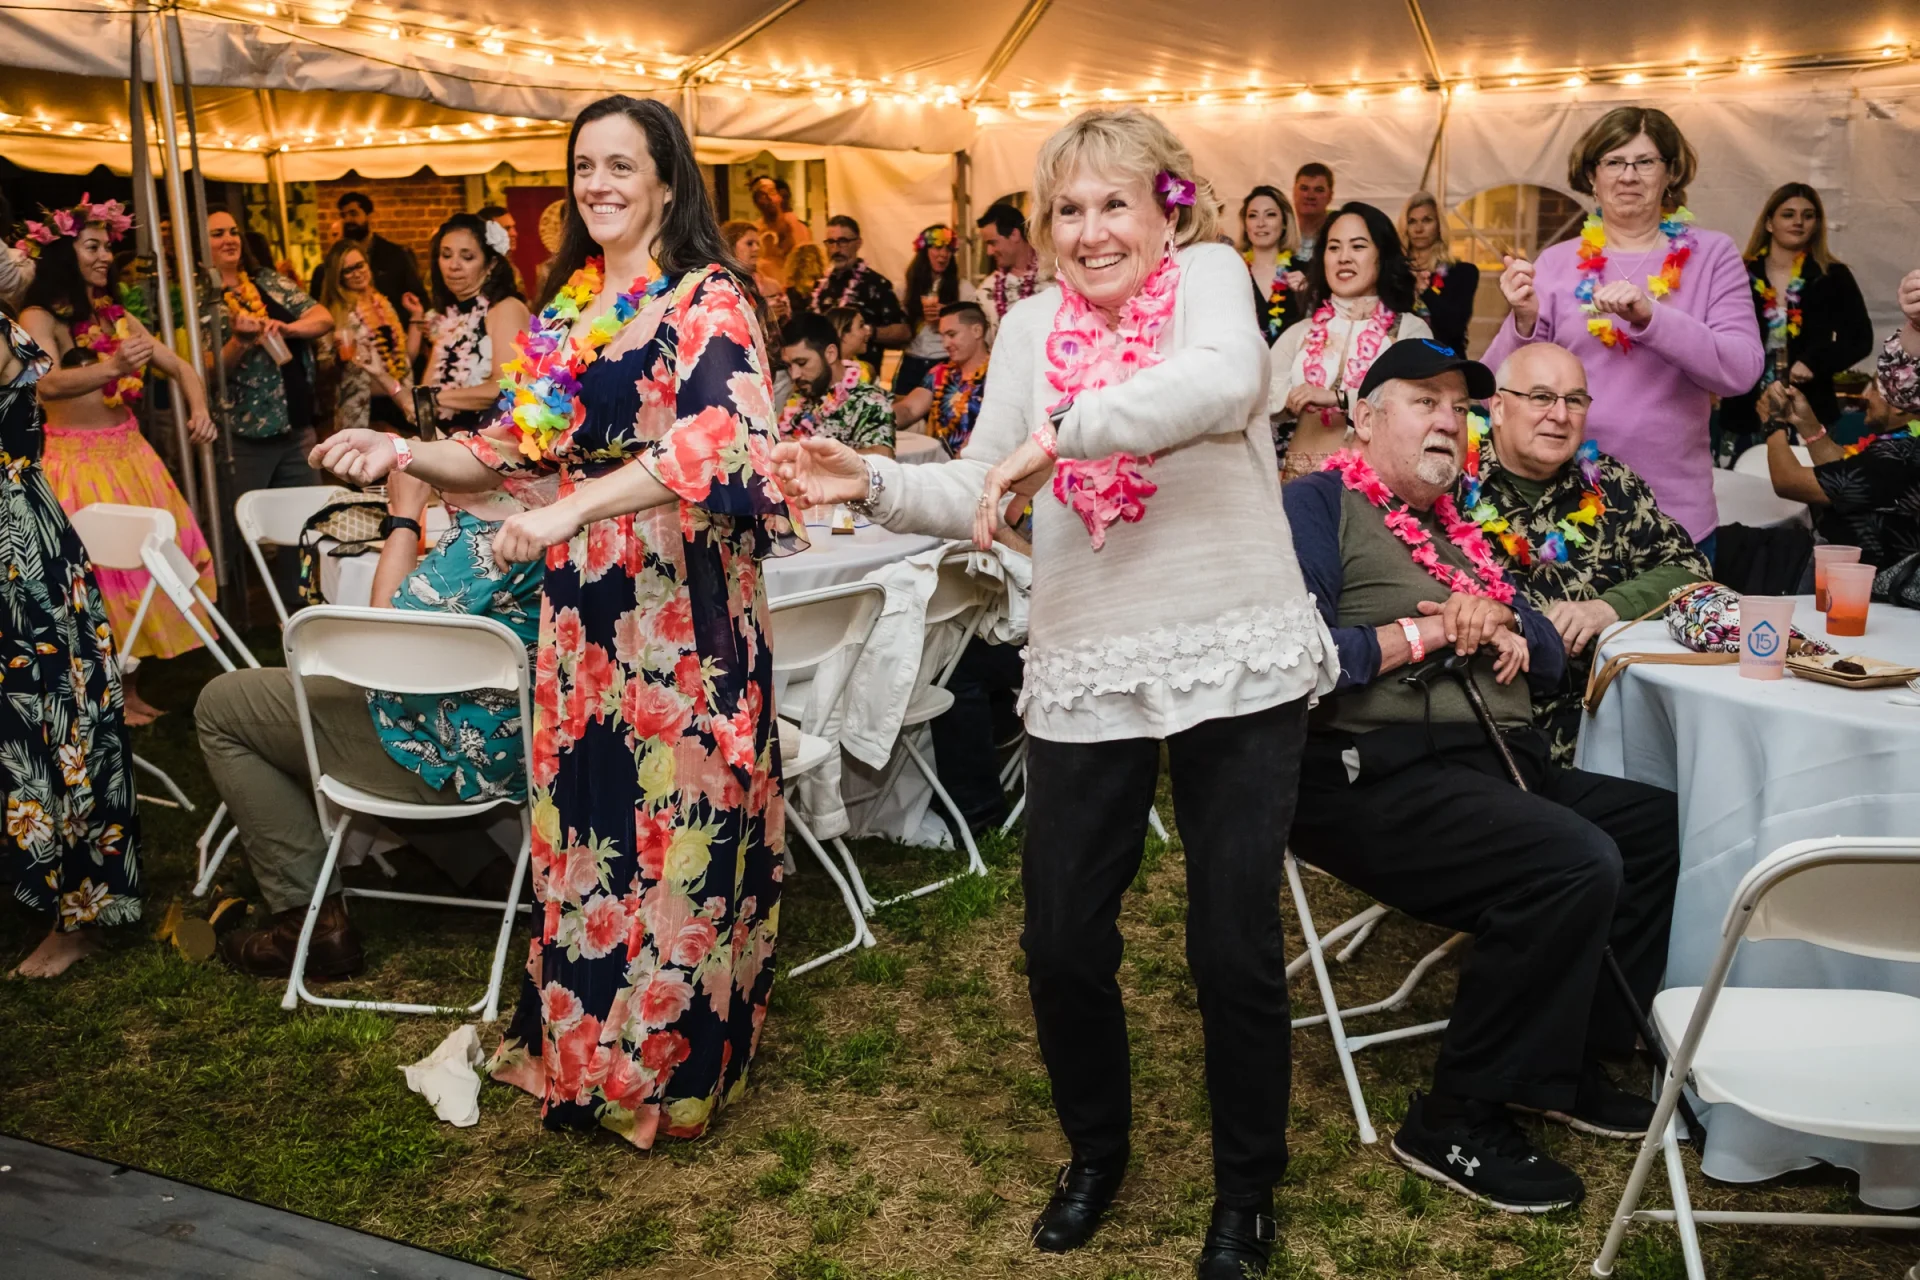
1627	554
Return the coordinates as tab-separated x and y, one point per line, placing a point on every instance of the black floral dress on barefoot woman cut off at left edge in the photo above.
72	828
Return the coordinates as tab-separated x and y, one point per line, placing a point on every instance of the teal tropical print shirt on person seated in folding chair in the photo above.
468	740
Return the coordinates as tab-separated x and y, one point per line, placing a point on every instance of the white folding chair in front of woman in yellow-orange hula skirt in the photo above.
145	538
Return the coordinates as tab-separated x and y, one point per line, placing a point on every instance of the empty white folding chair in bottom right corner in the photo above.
1836	1064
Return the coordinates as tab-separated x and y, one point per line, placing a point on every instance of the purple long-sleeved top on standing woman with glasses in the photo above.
1652	404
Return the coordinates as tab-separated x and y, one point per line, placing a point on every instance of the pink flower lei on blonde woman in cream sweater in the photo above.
1086	354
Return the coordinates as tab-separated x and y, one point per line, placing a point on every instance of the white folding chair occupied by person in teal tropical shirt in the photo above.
418	653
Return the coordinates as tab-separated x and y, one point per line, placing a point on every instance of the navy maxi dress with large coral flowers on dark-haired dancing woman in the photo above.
658	811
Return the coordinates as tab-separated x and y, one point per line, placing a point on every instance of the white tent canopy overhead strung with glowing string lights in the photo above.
1767	91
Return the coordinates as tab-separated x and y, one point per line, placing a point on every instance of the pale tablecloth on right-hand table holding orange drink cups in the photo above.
1760	765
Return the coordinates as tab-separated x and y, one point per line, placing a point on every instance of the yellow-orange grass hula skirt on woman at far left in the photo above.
116	465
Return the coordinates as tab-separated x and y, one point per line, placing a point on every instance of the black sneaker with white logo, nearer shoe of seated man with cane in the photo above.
1487	1158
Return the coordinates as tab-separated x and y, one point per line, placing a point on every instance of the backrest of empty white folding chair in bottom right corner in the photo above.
1848	893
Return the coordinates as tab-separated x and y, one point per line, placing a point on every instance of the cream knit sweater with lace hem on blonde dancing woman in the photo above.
1197	611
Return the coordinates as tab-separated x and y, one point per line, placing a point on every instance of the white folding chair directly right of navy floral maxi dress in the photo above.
809	630
